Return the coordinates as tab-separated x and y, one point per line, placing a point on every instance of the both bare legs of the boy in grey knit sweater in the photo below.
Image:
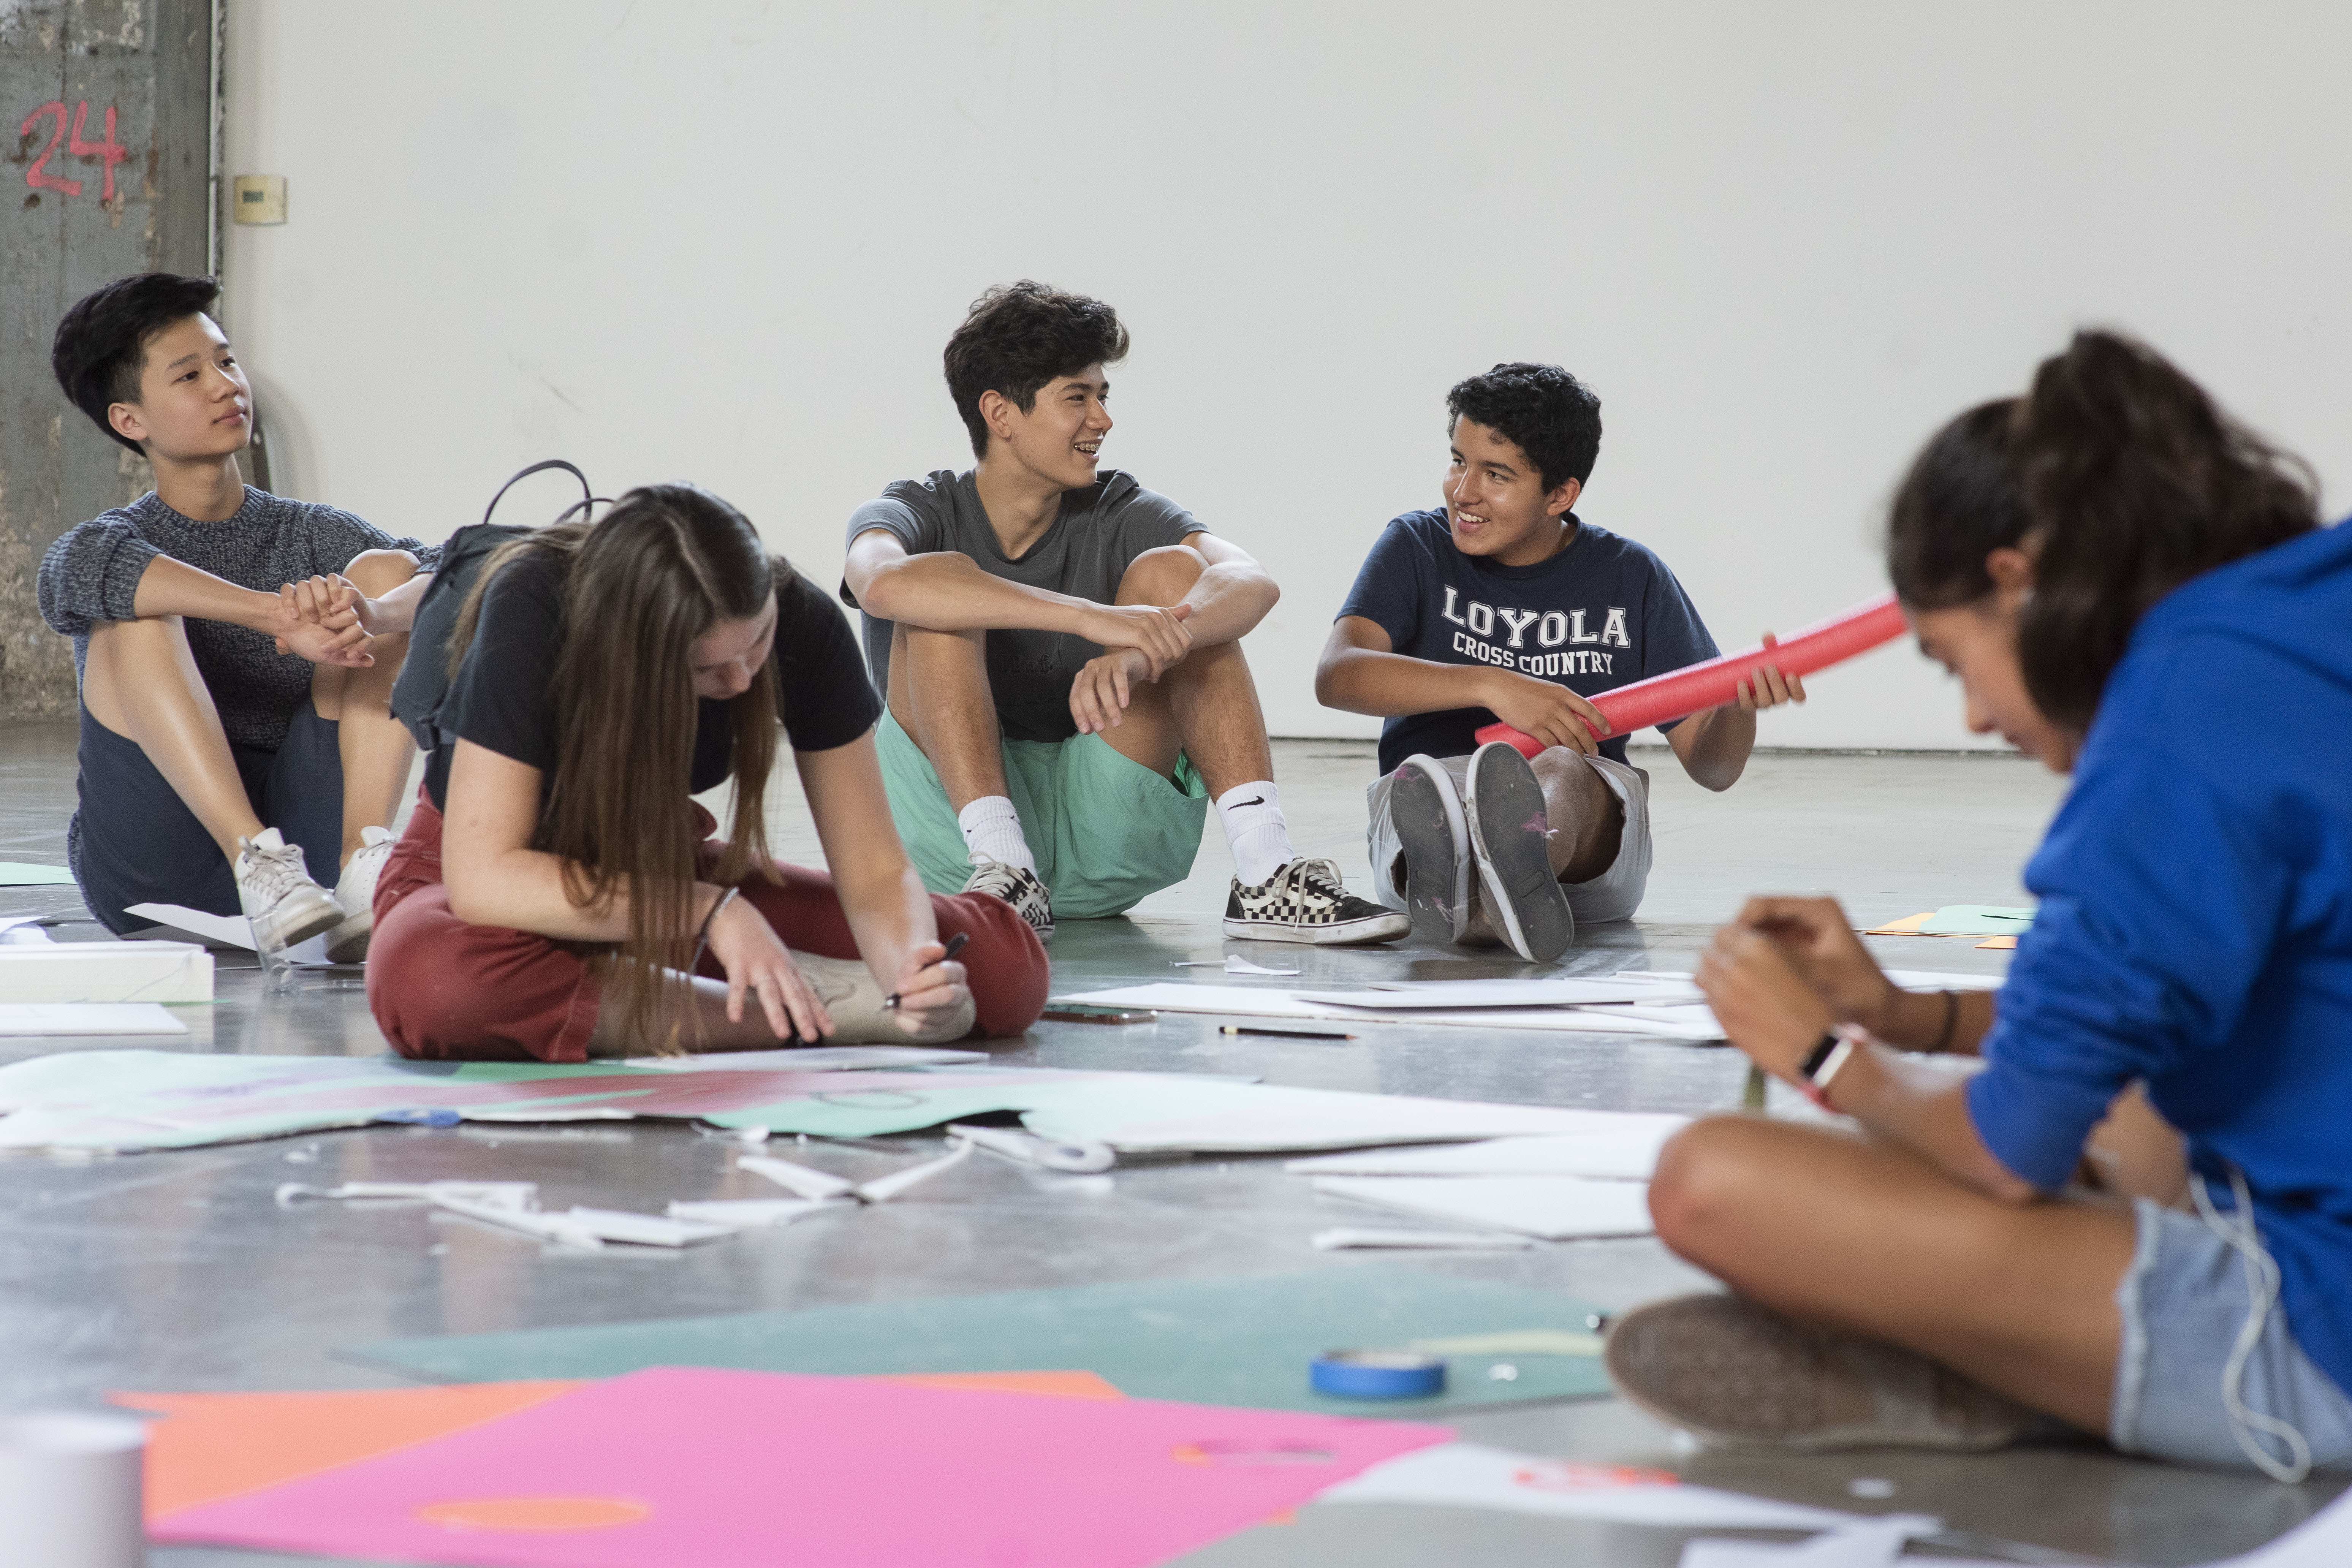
142	683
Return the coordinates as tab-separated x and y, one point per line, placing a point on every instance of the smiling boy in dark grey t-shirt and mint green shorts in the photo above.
1060	652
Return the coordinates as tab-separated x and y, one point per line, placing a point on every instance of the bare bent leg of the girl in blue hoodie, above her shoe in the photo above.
1871	1240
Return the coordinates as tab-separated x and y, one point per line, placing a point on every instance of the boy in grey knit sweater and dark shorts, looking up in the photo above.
234	746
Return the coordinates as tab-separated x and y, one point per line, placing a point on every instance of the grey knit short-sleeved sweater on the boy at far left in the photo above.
93	575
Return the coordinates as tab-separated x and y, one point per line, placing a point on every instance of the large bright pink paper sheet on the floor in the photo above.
773	1470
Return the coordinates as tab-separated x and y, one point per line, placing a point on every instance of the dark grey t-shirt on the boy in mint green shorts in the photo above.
1097	537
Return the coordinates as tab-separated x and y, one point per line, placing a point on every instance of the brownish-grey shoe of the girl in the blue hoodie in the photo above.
1744	1376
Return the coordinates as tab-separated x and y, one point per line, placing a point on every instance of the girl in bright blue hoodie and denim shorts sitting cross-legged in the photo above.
2132	591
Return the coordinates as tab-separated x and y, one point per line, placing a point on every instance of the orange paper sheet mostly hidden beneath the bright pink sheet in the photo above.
218	1447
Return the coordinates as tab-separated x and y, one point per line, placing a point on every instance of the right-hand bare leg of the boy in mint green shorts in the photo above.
1208	706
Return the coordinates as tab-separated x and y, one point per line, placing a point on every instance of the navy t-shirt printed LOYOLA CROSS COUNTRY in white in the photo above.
1601	615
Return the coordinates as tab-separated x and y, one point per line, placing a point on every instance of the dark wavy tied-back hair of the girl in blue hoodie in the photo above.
2123	478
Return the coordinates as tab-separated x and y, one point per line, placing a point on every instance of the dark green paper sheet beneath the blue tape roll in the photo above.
1210	1341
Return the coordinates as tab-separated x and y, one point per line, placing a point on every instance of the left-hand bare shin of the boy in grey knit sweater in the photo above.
142	683
